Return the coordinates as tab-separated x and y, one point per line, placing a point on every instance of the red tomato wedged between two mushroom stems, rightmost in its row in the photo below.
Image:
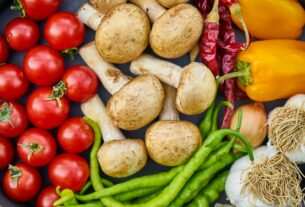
81	83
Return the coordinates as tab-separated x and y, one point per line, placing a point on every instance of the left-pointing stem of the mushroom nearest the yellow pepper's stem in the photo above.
167	72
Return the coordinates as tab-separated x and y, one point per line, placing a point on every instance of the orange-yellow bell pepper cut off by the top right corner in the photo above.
272	19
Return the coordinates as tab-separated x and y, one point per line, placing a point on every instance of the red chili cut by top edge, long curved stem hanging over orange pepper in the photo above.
235	10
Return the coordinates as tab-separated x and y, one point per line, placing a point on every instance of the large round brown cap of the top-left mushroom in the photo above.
122	34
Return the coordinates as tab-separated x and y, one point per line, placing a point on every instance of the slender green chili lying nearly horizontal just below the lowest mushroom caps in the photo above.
156	180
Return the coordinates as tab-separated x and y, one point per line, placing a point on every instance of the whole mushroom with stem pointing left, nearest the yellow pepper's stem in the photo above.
196	84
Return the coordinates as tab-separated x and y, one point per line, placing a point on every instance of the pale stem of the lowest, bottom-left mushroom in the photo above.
94	108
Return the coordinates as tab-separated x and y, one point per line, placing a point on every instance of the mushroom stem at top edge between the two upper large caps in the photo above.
152	8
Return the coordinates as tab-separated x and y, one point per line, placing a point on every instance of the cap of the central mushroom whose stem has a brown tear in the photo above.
137	103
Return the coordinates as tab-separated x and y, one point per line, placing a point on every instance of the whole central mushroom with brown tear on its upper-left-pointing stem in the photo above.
134	103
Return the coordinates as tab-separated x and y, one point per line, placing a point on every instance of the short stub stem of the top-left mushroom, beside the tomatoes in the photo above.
90	16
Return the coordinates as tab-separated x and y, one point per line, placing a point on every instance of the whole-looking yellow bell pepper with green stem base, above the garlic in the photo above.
272	69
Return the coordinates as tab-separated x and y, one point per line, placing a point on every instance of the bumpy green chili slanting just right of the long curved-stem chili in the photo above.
201	179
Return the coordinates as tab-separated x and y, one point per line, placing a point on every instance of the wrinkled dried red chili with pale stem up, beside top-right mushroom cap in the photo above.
208	43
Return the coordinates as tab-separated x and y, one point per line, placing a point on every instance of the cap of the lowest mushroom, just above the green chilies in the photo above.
122	158
